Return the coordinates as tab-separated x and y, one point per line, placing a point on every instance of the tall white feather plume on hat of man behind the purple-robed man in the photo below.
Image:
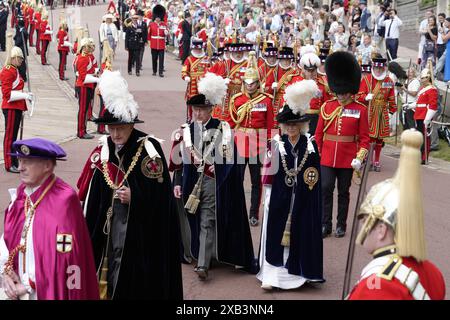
118	100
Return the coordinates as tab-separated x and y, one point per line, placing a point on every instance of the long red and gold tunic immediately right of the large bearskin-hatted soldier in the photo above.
382	103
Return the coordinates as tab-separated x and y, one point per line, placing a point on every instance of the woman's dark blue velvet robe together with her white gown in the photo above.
281	266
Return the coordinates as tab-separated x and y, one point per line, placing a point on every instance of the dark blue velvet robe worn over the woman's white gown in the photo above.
306	249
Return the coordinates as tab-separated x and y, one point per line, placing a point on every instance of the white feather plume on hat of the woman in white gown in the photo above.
299	94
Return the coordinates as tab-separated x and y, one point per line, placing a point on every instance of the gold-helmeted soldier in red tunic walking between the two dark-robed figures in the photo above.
252	114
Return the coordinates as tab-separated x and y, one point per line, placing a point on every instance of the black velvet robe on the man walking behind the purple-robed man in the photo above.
145	261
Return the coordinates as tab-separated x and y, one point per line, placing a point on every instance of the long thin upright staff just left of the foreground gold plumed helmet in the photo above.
351	246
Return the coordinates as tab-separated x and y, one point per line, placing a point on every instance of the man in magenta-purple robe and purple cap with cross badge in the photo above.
45	251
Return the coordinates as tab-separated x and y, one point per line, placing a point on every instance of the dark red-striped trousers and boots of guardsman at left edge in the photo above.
12	125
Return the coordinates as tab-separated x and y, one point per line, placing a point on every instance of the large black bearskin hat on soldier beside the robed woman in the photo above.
343	73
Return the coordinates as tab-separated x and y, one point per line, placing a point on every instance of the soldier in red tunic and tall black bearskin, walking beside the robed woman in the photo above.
342	136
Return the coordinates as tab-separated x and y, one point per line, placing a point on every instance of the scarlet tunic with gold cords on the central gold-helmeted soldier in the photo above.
252	121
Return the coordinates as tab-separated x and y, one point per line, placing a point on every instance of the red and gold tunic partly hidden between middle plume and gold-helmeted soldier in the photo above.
233	71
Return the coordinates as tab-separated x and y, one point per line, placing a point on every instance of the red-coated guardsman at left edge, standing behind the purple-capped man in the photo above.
13	101
